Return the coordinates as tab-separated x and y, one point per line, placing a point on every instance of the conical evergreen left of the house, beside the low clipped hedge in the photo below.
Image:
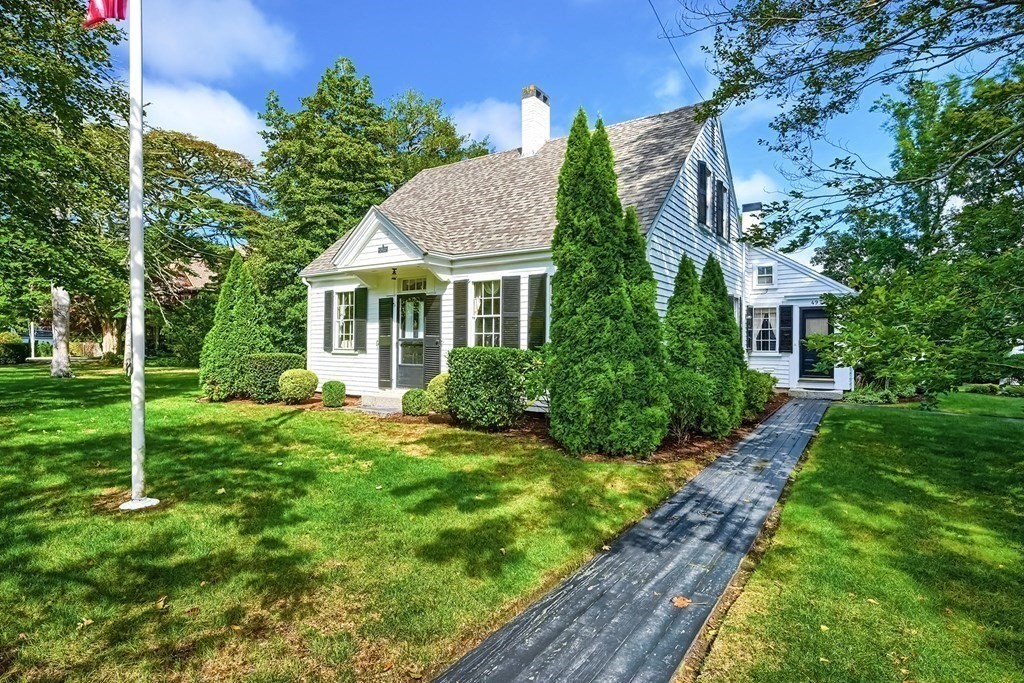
238	331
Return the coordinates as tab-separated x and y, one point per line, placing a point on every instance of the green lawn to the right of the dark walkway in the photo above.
900	557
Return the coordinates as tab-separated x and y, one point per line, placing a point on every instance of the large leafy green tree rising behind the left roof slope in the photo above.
326	164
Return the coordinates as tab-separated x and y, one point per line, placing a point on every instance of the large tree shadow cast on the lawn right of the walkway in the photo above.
948	493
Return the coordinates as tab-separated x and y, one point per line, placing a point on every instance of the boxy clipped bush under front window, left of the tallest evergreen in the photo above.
489	388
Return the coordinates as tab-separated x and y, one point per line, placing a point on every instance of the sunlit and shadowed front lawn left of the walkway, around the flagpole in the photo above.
289	544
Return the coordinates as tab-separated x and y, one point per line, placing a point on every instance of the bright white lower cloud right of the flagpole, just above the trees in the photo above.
207	113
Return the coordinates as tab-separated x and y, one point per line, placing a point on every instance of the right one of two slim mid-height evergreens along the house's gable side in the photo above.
724	363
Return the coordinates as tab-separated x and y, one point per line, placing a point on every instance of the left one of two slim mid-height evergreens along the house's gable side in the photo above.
690	390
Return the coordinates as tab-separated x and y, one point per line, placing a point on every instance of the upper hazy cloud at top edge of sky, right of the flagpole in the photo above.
200	40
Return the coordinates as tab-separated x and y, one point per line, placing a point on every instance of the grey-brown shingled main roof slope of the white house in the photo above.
507	202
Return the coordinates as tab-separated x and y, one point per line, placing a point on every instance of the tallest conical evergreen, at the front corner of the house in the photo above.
602	371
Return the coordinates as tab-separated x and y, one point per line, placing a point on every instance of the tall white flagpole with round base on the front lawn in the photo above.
138	270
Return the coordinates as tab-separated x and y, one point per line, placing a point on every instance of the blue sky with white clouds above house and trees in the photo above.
209	65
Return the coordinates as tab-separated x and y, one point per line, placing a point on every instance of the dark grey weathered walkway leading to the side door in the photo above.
615	620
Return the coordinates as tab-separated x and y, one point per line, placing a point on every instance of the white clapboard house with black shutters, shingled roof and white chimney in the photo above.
461	257
